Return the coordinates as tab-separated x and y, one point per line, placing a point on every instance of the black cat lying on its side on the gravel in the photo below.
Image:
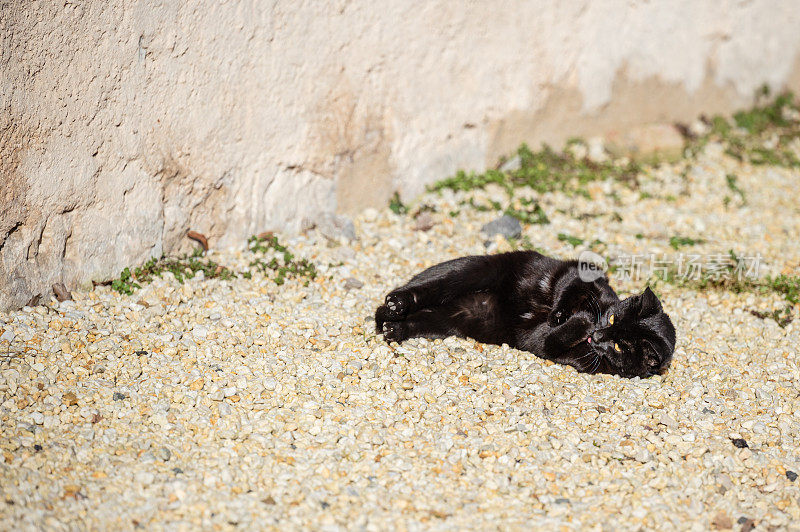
535	303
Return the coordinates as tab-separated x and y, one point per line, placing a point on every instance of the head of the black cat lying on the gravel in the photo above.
634	337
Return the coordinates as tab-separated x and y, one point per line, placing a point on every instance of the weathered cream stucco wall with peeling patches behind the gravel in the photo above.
123	124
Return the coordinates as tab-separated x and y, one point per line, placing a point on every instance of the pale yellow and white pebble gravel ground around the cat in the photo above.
224	404
